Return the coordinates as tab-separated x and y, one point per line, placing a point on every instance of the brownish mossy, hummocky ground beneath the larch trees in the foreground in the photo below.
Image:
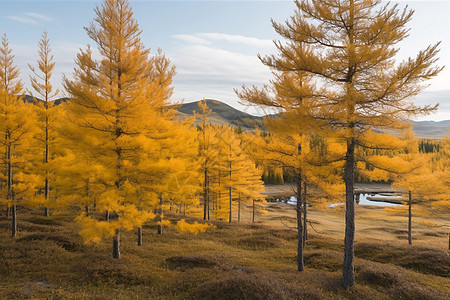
48	260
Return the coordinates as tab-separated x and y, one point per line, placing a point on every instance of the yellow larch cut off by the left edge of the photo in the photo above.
16	132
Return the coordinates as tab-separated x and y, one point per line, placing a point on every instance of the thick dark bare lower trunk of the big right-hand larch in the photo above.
348	276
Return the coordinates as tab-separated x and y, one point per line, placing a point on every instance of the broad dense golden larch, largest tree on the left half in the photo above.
118	103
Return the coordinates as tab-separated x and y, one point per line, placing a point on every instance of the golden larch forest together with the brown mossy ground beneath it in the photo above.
111	194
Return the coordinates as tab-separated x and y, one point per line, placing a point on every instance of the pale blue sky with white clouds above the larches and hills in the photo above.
213	44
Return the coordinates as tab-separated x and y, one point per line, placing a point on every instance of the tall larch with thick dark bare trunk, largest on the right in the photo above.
347	50
